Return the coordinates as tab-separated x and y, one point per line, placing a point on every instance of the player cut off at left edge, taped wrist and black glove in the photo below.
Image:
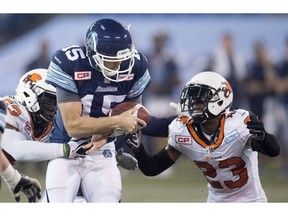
15	181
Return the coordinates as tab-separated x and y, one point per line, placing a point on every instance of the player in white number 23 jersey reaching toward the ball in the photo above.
224	144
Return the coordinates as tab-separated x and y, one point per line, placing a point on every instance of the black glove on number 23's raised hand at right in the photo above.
256	128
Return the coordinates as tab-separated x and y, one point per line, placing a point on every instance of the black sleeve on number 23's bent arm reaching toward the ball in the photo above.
152	165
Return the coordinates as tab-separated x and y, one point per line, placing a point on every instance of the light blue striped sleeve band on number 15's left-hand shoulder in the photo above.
59	78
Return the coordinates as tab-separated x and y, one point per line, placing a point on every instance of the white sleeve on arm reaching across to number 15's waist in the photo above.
16	145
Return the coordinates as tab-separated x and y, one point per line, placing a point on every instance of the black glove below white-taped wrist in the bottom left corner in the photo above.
29	186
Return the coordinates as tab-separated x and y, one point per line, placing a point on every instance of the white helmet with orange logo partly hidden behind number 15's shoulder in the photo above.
37	96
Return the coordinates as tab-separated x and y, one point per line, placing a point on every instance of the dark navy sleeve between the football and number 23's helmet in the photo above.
158	127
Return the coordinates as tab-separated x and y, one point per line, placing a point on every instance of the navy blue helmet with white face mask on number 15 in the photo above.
109	49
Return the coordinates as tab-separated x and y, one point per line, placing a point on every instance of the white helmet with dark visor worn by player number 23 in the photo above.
206	96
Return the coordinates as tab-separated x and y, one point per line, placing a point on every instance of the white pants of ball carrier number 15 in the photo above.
98	176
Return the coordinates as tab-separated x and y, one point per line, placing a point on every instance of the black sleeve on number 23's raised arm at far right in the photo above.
269	146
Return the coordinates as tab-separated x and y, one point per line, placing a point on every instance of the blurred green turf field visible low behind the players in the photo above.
184	184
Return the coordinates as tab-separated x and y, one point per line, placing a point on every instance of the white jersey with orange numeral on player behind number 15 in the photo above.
19	117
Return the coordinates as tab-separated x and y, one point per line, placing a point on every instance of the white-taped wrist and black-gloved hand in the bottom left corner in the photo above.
19	183
